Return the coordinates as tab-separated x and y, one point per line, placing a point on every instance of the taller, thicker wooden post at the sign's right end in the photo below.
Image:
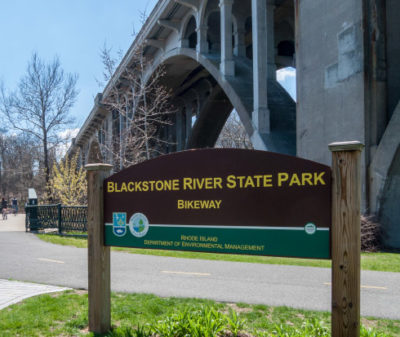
346	241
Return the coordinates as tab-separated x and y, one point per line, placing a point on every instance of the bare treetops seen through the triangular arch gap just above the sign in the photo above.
233	134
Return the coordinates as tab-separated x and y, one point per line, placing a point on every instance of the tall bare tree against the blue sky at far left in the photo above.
40	105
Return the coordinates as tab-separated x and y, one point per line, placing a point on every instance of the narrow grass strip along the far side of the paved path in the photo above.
369	261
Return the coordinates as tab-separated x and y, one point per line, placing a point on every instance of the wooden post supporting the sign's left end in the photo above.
98	254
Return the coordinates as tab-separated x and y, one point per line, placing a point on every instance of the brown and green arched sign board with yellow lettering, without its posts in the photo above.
224	201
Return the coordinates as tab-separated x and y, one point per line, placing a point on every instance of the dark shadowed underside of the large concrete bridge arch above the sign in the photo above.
200	101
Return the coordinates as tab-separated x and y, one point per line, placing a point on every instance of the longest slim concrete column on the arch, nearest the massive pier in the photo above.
261	115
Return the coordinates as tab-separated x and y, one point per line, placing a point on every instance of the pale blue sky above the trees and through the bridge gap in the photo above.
75	31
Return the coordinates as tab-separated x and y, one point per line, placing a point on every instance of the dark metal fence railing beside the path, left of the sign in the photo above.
58	217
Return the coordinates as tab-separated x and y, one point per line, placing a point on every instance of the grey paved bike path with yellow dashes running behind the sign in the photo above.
24	257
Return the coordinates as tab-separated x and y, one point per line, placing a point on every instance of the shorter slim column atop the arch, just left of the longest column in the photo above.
227	64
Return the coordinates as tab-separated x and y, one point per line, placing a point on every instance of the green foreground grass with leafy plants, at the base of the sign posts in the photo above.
65	314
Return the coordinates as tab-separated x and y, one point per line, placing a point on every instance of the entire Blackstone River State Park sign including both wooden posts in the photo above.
213	209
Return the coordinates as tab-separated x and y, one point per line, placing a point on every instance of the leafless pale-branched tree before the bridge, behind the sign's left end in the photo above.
141	105
